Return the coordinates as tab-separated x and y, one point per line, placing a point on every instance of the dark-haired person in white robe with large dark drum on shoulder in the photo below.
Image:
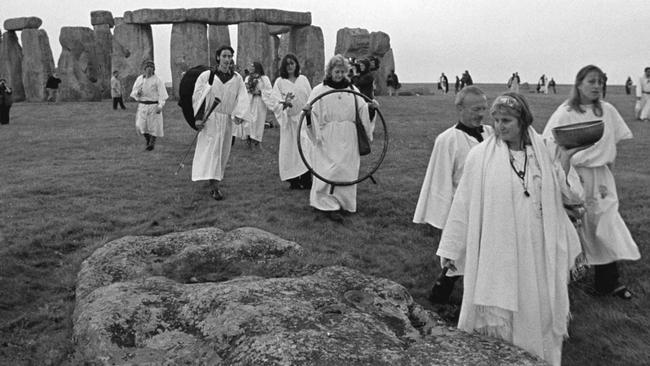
228	100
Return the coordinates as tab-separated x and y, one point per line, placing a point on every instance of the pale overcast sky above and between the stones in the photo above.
491	39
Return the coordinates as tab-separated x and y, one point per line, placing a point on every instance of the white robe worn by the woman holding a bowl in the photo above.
605	236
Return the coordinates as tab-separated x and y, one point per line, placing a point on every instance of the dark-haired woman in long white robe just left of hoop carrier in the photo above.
290	92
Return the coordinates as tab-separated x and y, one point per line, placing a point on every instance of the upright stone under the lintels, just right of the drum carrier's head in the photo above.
253	45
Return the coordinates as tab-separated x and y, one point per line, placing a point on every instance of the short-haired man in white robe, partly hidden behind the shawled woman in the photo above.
446	167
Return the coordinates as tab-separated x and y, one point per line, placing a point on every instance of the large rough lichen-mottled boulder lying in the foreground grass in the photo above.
136	307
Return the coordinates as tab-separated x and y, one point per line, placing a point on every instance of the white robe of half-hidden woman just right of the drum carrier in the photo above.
253	126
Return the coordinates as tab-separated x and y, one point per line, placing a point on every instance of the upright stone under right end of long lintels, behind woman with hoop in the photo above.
308	46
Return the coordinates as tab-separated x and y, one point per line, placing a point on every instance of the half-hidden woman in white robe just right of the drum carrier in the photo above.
258	87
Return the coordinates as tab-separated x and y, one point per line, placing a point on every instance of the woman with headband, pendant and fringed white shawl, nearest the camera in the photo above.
508	221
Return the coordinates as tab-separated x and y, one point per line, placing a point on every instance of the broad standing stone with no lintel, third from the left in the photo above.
78	65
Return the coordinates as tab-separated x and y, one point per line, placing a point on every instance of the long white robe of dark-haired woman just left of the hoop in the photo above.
289	161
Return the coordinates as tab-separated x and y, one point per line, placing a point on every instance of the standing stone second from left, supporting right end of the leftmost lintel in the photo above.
38	63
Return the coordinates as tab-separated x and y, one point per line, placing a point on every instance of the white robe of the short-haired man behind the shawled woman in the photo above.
443	173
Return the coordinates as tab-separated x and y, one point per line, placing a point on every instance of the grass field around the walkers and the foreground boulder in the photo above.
74	176
